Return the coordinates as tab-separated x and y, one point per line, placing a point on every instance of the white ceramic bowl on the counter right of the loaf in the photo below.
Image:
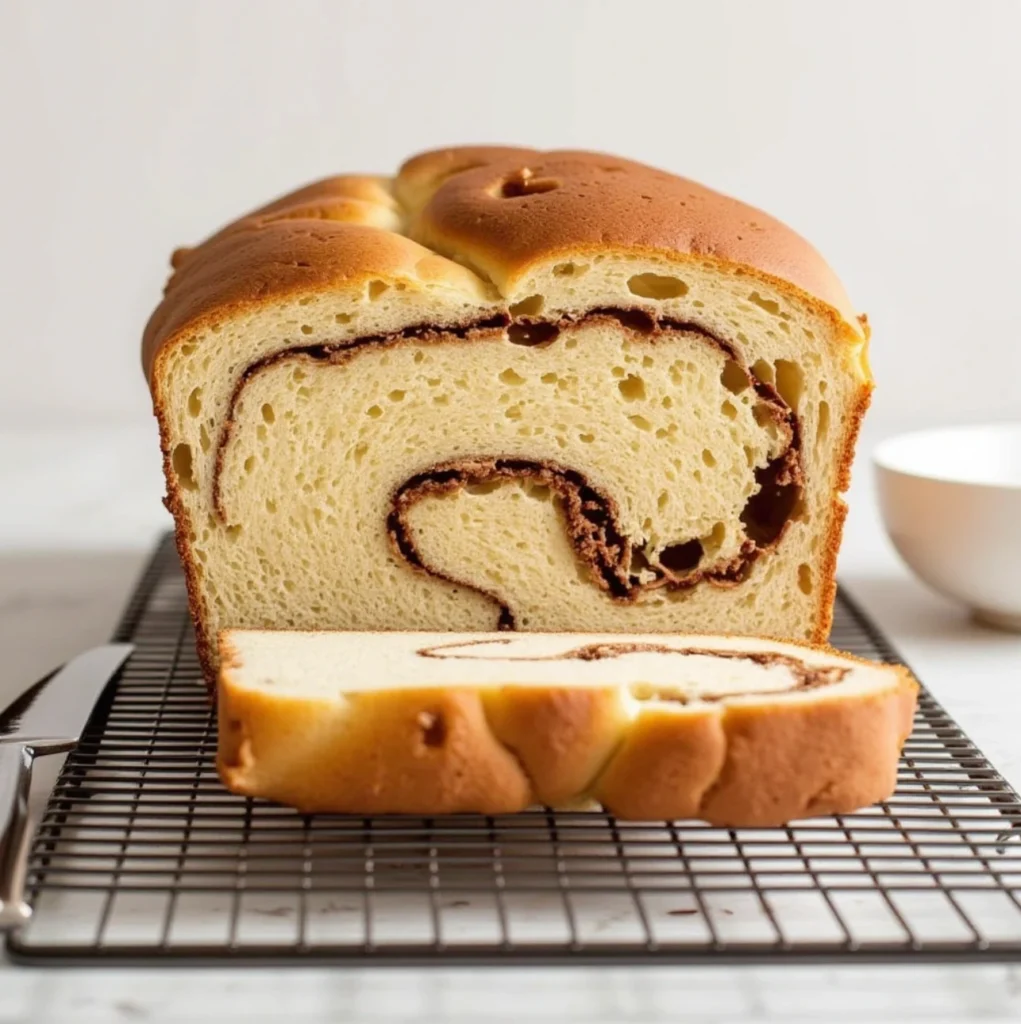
952	503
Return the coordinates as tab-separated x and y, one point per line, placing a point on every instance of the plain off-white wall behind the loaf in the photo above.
886	132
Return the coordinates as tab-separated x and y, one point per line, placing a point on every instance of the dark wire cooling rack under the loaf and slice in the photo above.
143	857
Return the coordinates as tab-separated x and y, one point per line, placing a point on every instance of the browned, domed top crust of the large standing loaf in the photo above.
478	219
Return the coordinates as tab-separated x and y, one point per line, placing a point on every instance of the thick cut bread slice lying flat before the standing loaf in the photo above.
734	731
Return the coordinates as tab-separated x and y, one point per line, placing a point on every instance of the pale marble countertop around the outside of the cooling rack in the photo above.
81	514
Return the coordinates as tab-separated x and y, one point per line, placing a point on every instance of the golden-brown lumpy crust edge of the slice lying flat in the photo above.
746	763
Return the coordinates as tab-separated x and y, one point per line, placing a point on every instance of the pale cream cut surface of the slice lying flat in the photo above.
678	672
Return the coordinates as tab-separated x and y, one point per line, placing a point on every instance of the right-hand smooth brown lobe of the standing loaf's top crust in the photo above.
523	208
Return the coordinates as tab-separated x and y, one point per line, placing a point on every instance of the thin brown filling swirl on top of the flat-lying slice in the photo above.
805	677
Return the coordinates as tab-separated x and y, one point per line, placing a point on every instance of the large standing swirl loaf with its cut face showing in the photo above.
507	390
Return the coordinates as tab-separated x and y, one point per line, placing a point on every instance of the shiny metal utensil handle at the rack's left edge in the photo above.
16	779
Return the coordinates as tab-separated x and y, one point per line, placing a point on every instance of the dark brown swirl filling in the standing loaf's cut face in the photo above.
590	516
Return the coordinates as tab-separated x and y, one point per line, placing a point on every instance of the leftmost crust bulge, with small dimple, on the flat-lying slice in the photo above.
370	755
